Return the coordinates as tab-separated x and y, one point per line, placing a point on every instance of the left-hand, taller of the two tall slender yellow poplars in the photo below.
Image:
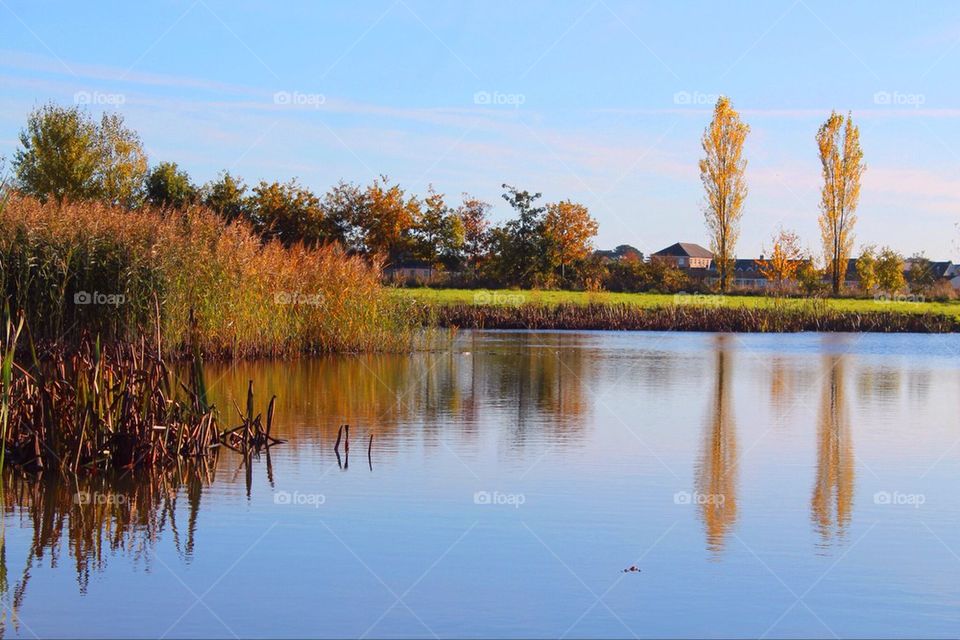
722	173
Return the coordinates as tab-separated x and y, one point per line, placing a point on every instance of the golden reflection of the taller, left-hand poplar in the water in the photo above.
717	472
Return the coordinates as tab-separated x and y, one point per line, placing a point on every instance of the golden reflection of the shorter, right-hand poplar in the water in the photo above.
832	500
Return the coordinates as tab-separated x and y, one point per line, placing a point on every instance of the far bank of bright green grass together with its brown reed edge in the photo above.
660	312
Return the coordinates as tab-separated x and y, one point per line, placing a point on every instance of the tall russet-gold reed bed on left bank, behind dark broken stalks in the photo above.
198	280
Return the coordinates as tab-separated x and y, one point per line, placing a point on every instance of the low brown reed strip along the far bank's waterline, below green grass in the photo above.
628	317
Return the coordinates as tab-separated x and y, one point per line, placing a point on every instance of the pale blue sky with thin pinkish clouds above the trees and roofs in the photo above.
599	101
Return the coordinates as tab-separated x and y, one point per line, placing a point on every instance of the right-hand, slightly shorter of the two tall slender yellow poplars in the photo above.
838	140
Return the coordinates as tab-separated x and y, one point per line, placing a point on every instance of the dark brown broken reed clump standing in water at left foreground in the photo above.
116	407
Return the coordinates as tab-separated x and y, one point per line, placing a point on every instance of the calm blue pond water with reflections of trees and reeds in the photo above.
798	485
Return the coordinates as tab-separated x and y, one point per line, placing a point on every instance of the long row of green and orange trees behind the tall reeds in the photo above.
66	155
